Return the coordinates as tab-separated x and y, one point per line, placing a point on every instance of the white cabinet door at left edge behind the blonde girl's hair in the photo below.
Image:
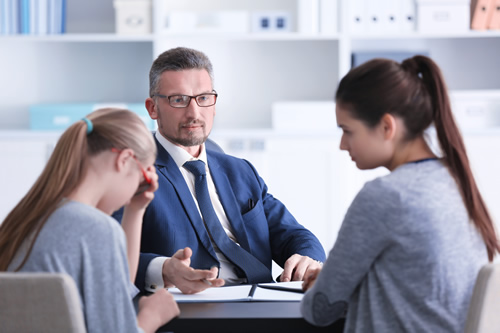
22	163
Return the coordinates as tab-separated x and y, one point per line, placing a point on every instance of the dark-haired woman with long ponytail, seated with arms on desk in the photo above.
412	242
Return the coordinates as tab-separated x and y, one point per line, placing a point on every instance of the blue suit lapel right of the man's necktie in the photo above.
228	200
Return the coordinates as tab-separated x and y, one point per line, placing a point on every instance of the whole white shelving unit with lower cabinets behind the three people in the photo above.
92	64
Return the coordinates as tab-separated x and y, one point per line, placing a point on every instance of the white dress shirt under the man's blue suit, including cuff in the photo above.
154	277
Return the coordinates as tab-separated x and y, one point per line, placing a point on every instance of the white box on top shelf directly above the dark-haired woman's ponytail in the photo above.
437	16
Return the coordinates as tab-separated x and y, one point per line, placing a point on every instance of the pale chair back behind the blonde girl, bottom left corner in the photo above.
39	302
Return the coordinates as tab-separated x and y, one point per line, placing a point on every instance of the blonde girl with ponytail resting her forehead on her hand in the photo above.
63	223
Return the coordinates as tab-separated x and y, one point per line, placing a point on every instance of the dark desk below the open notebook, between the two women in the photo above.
244	317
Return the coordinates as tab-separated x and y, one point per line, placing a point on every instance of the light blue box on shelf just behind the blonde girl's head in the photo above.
57	117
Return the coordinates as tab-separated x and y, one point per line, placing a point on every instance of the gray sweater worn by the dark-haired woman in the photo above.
406	257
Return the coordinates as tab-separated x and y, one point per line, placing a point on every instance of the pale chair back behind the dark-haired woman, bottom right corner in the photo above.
484	315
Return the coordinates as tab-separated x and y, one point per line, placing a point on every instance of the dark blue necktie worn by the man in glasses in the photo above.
254	270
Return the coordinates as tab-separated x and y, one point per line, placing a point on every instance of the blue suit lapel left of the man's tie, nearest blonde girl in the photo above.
166	166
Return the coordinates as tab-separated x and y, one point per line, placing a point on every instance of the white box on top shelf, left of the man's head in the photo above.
132	16
